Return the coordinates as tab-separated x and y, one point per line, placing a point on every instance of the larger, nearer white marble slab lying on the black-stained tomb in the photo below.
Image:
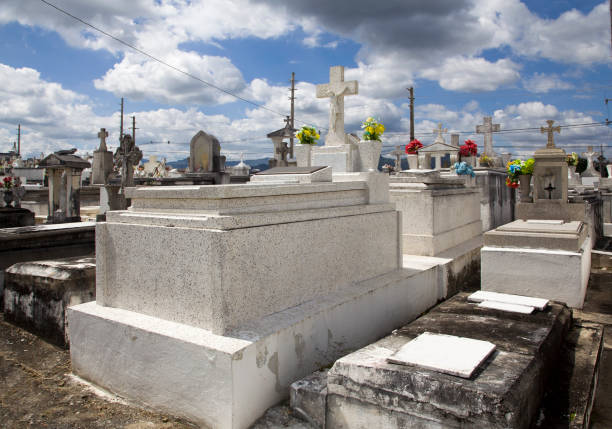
448	354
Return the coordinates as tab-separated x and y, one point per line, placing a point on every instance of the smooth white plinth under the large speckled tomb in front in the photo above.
228	381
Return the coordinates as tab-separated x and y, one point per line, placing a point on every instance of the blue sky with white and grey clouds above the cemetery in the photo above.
520	62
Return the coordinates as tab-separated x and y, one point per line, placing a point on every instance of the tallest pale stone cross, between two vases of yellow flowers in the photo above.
335	90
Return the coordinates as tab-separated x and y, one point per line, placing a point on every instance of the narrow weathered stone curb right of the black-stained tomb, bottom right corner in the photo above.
569	401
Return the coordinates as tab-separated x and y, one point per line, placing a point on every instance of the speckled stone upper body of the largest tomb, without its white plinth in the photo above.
219	271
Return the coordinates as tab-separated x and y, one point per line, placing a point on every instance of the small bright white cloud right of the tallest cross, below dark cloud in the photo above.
473	74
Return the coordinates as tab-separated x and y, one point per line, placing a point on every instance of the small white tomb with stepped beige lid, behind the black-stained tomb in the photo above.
542	259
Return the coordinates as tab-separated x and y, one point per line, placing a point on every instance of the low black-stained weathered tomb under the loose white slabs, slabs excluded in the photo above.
365	390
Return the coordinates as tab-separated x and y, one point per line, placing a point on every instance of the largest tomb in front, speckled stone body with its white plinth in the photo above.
211	300
